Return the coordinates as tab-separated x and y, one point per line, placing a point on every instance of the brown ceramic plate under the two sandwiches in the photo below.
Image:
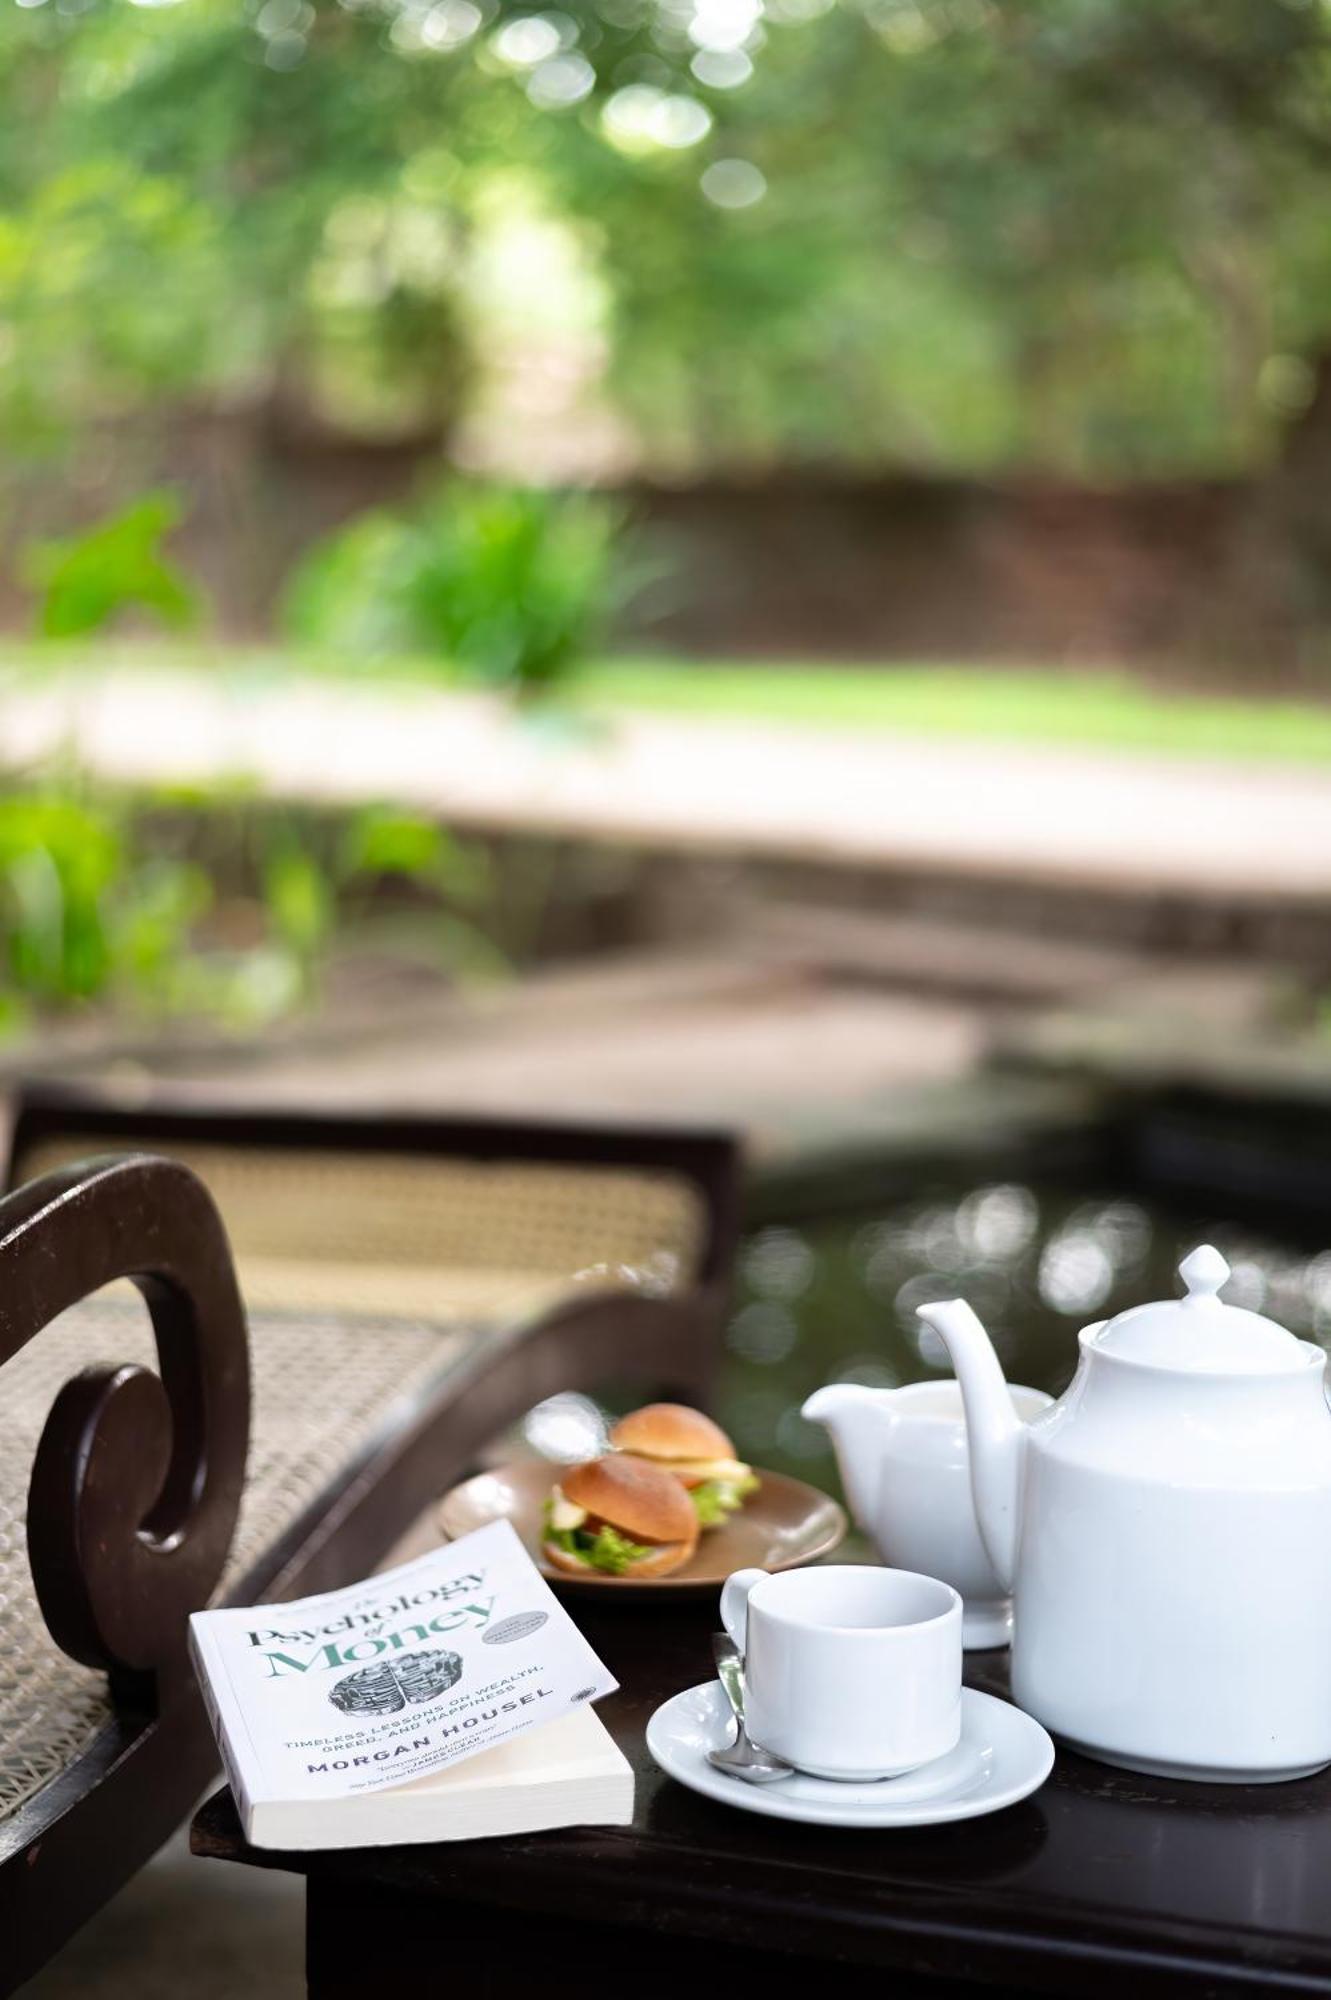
784	1525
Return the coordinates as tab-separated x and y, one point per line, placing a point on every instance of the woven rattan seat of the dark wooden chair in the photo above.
323	1385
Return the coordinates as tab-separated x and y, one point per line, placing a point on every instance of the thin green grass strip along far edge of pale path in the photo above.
1106	711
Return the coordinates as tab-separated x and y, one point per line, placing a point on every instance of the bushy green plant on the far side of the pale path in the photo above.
511	585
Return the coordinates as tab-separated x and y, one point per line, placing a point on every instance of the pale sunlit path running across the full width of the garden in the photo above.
886	801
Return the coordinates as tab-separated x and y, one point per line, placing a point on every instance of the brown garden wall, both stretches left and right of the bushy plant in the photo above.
786	567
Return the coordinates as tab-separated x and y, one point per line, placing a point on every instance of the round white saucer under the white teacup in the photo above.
1004	1755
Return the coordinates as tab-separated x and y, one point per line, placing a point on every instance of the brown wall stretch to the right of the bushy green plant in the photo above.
946	569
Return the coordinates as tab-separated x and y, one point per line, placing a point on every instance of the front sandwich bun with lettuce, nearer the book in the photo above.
621	1517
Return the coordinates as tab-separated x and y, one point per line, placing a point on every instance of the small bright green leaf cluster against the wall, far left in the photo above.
85	581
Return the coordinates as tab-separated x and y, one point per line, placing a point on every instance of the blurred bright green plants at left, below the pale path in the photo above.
211	905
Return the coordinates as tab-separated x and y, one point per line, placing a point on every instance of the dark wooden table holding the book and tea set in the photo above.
1100	1883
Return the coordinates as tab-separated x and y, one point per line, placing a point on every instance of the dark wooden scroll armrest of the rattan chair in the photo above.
137	1479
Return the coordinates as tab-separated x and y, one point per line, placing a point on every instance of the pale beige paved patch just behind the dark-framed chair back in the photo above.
796	1063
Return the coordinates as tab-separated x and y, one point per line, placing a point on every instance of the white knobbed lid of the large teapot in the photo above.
1200	1331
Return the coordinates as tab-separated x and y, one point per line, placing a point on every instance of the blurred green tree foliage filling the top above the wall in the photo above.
1082	235
